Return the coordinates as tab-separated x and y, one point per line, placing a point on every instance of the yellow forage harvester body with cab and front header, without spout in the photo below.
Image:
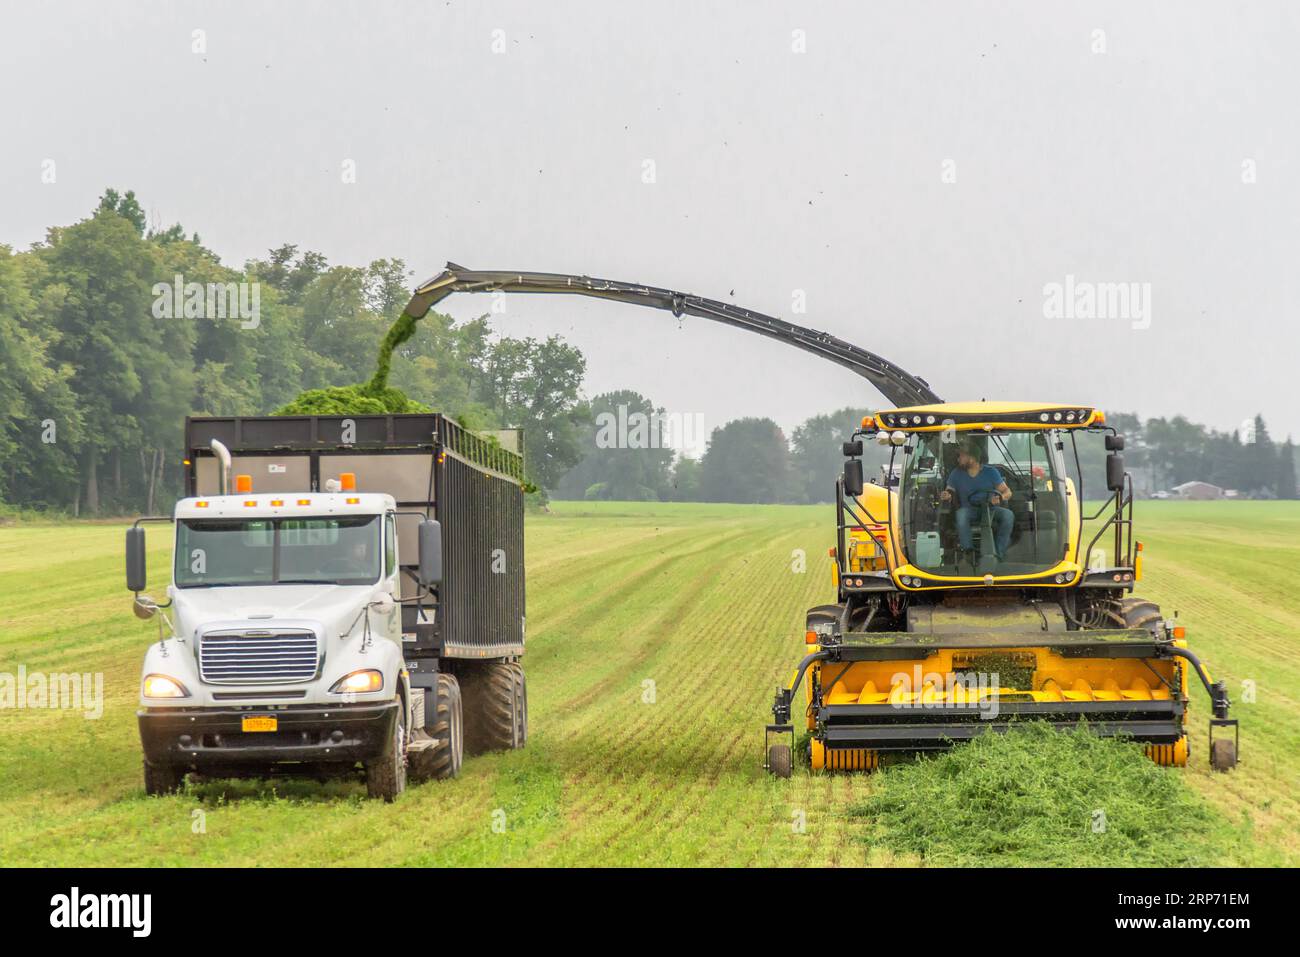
982	591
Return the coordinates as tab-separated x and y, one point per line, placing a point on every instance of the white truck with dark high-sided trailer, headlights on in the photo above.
346	597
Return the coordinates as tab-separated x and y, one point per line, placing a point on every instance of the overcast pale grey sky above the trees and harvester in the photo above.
921	172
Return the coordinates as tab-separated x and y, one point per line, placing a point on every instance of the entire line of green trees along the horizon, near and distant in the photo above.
111	334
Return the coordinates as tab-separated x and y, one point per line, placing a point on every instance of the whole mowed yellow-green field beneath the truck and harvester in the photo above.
705	603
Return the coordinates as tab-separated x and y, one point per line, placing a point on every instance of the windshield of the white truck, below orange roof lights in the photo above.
268	552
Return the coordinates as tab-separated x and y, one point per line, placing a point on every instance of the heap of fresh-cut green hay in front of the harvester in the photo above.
1038	796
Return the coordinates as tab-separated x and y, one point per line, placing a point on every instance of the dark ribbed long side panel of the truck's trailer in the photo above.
483	592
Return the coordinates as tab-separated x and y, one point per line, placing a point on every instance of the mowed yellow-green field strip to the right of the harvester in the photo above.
1229	570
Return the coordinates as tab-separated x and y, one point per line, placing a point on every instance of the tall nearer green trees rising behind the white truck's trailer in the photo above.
109	339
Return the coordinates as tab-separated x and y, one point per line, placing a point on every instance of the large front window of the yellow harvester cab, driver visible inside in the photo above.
977	530
